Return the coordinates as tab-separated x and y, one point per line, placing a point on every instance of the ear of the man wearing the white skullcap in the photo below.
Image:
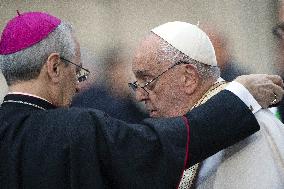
191	79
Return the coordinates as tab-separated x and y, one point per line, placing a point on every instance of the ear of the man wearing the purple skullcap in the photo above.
53	67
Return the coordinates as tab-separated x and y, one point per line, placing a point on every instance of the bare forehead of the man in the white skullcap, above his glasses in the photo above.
146	57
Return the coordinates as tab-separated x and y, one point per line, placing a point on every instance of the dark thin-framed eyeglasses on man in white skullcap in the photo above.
135	85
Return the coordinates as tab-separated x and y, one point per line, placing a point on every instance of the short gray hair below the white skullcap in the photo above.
170	53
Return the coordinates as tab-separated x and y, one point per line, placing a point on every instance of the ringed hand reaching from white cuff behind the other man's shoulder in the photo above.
266	89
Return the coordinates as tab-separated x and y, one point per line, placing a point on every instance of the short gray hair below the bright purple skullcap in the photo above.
26	64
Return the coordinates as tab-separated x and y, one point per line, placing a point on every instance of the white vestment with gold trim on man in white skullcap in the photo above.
254	163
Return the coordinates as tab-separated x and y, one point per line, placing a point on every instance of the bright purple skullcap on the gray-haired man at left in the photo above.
26	30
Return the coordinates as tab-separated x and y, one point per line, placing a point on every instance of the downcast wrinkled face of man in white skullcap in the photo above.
163	96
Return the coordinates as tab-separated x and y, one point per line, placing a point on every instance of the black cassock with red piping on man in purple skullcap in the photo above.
42	147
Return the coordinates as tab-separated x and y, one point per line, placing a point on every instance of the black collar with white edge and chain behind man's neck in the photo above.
29	100
